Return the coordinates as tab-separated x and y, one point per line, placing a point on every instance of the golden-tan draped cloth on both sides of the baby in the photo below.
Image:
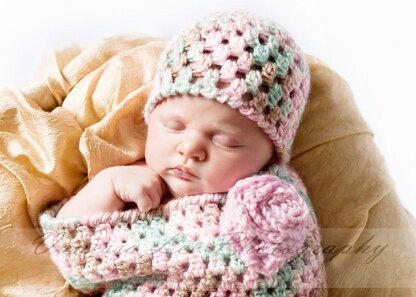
83	114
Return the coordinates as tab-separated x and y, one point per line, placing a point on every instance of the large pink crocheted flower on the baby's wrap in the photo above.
265	222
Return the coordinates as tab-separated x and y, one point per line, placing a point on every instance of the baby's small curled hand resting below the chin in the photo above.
139	184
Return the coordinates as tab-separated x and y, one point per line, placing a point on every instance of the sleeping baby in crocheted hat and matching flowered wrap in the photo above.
213	209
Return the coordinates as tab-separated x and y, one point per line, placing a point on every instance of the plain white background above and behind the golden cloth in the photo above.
371	44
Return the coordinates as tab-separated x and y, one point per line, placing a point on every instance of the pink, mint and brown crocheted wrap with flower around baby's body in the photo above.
259	239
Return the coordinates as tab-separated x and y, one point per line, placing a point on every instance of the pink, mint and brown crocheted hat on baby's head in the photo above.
249	63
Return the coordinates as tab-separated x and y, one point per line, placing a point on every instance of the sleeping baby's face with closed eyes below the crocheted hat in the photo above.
215	142
